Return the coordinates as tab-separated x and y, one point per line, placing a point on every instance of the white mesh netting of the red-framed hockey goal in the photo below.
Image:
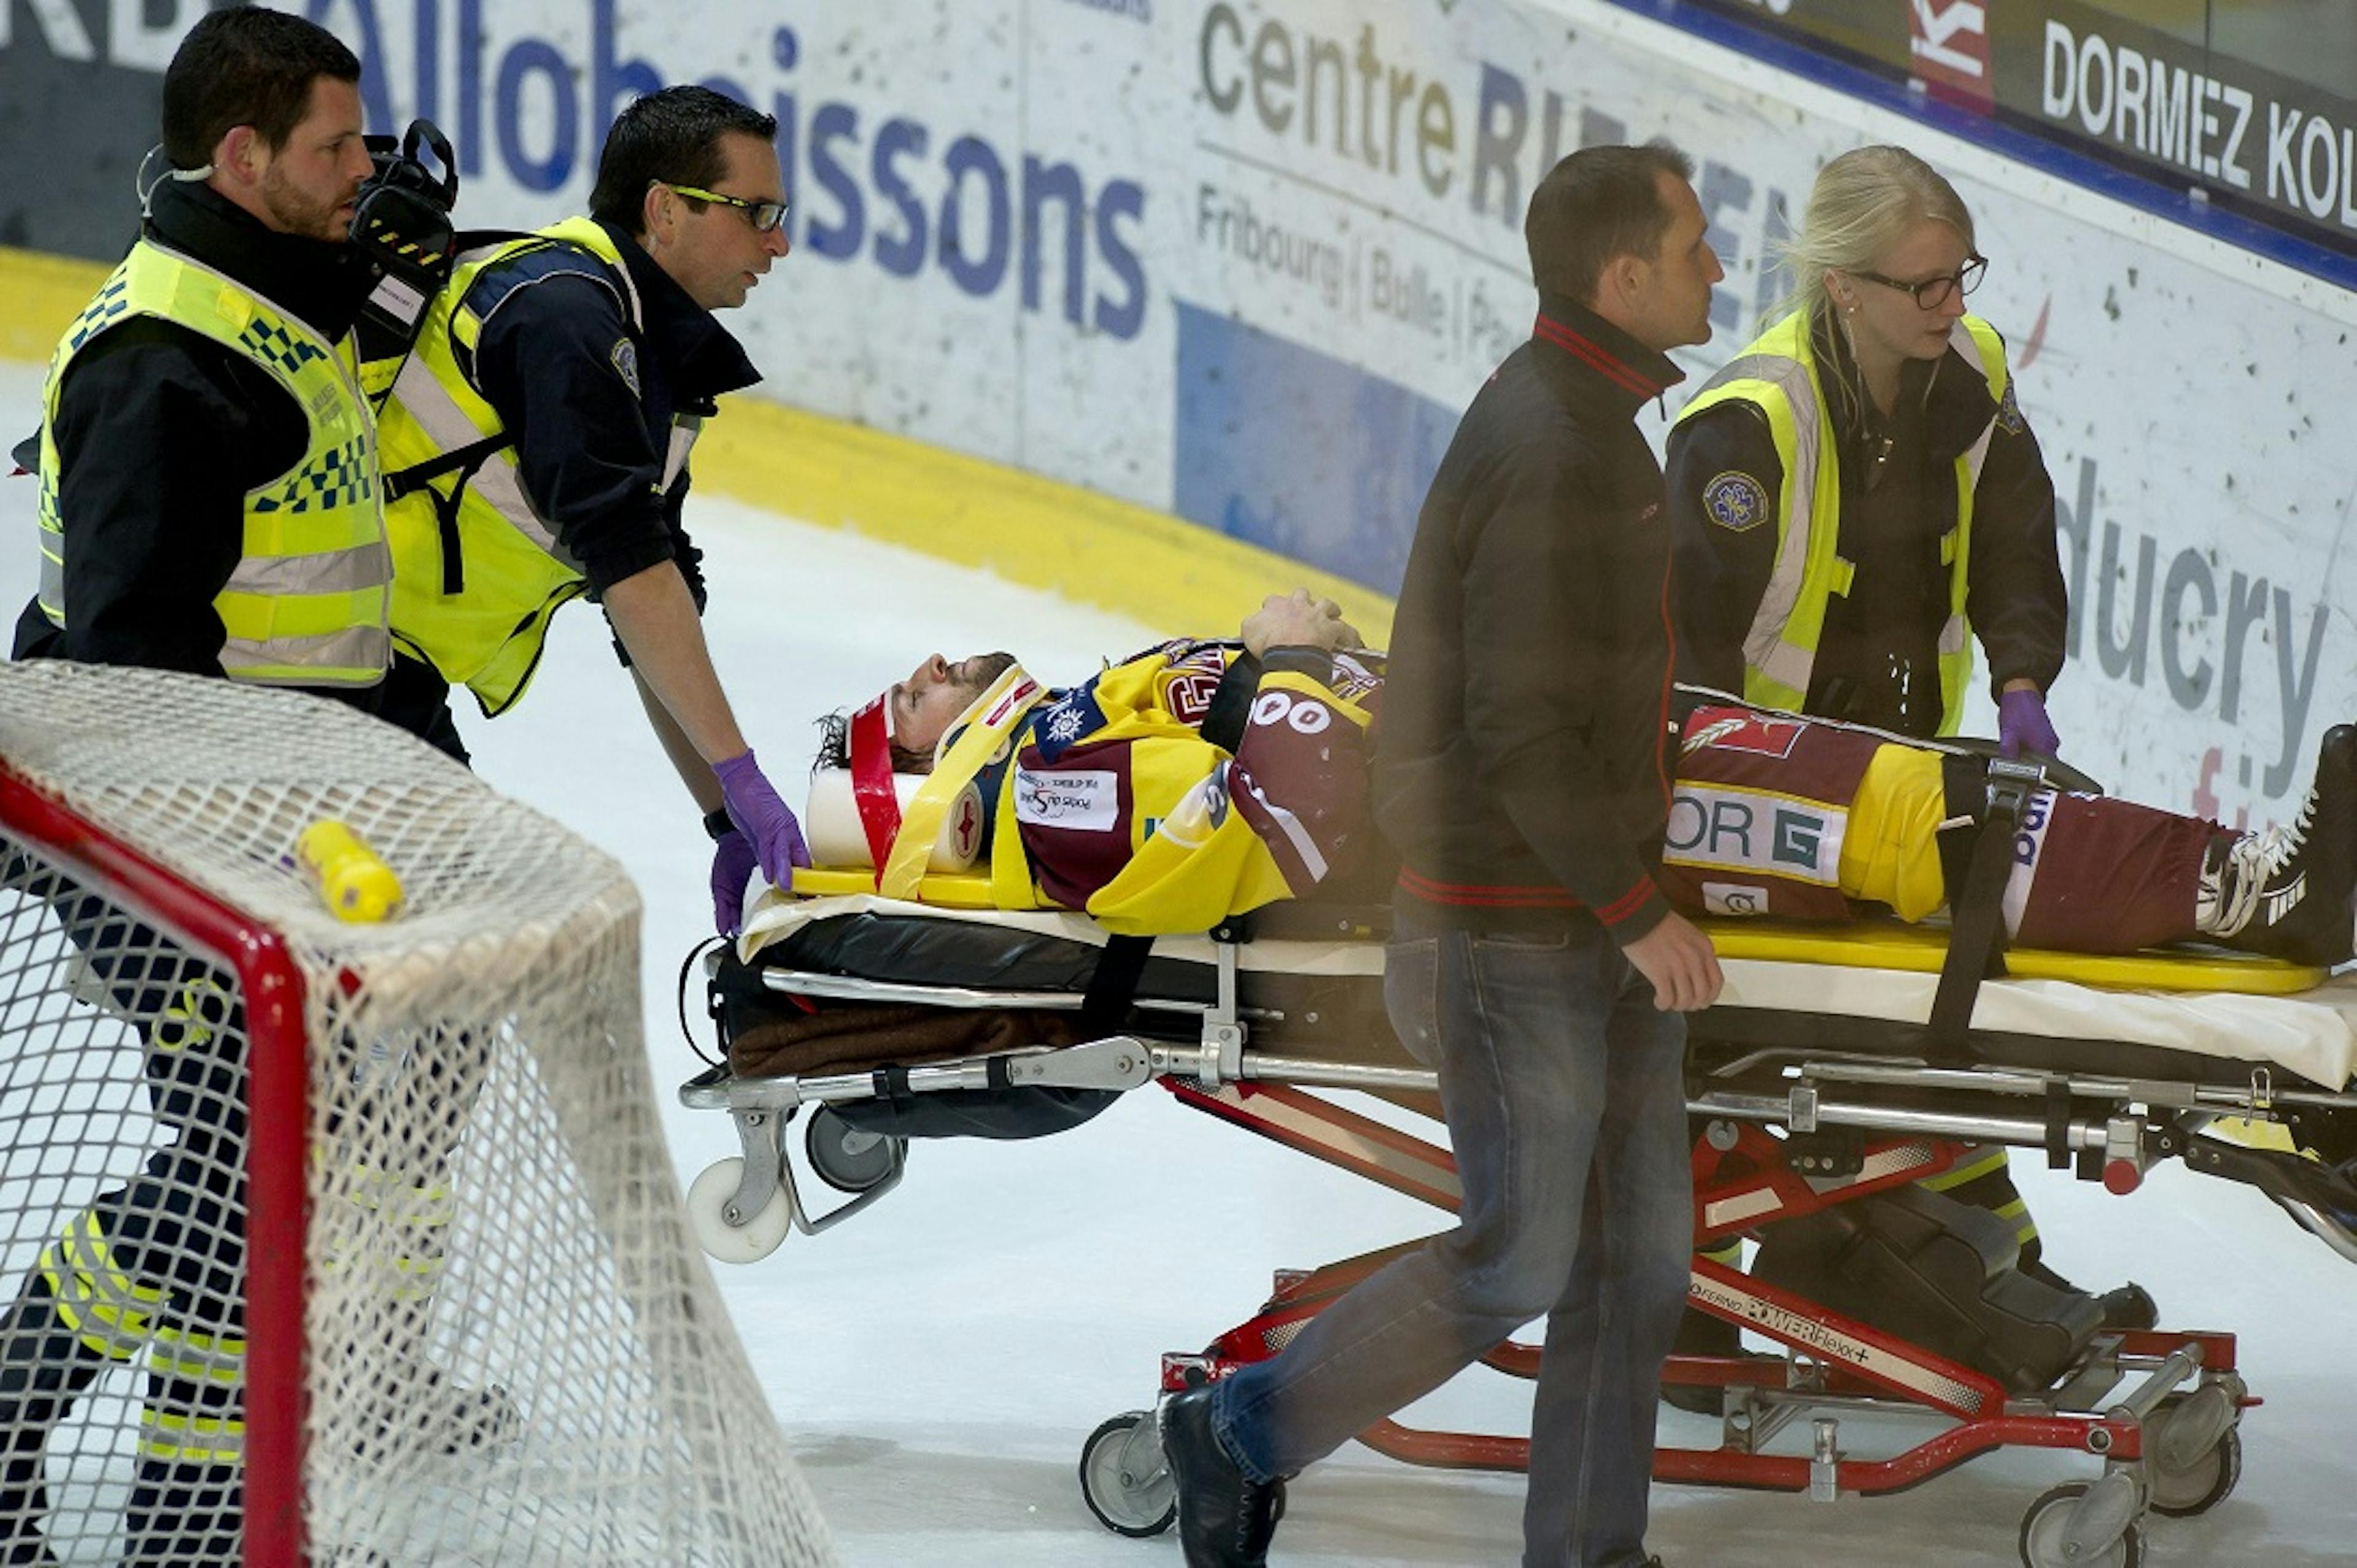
513	1348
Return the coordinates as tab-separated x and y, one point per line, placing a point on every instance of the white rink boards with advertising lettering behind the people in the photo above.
1246	261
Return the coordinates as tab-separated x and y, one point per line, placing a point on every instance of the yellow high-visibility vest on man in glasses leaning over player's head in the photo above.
480	574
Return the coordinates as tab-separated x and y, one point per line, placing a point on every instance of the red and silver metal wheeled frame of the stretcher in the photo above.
2158	1409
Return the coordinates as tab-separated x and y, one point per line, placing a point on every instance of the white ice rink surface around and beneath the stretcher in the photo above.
939	1362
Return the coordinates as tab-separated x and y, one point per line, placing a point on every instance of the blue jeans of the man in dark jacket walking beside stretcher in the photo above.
1566	1105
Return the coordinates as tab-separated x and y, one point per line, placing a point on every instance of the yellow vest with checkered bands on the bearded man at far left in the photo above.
308	600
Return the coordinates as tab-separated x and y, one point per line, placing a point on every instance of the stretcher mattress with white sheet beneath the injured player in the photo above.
1783	987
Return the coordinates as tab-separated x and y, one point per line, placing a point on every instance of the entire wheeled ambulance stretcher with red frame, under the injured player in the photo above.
1840	1065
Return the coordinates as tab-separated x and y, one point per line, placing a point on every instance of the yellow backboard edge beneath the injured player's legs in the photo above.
1894	947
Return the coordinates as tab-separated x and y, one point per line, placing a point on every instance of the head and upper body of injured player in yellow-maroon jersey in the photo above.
1170	791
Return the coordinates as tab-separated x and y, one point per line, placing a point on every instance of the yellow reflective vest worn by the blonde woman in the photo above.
1778	376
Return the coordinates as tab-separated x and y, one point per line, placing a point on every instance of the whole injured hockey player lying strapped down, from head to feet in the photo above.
1210	777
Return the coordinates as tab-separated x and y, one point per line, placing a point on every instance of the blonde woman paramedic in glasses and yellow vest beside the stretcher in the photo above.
1856	501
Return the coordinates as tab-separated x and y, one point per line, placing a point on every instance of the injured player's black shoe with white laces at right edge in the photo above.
2285	892
